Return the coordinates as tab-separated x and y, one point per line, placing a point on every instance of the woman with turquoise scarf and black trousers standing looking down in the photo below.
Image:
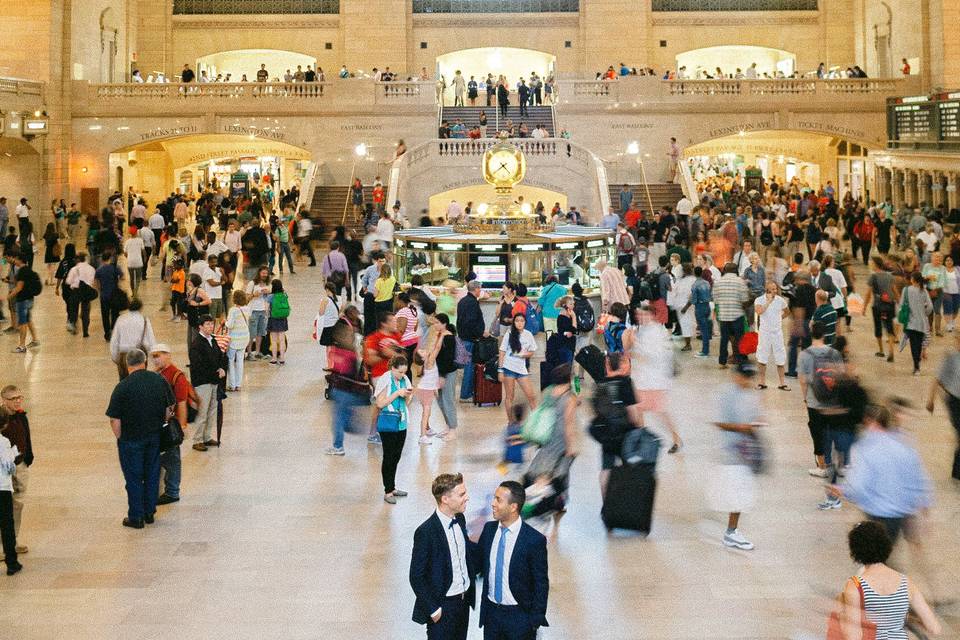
392	394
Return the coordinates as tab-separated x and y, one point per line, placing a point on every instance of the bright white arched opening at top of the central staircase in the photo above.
511	62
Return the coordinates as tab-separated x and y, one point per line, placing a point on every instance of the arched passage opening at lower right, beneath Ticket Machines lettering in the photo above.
807	160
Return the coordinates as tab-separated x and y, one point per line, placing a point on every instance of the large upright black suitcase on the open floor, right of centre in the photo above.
629	500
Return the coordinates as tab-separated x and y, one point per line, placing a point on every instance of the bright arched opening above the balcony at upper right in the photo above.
769	62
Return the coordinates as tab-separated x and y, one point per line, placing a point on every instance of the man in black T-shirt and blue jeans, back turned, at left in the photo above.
138	409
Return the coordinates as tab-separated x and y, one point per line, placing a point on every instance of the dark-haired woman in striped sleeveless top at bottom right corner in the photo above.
887	595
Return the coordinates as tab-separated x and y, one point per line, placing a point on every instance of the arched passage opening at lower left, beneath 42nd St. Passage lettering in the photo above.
189	164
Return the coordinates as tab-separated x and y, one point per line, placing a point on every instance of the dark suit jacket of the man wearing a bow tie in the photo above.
431	572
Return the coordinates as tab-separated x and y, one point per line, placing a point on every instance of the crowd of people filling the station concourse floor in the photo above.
770	274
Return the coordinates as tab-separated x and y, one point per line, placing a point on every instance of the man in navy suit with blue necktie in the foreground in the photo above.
513	562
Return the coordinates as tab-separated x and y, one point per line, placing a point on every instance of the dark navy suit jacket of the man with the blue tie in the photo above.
529	582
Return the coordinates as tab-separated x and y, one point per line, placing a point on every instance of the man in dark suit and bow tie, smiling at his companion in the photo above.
443	565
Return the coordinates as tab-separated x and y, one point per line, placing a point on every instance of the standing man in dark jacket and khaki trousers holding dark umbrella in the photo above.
207	366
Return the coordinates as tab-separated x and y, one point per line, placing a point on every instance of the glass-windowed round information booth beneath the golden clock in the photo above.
440	253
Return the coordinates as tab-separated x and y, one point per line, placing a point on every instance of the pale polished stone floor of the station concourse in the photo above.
273	539
